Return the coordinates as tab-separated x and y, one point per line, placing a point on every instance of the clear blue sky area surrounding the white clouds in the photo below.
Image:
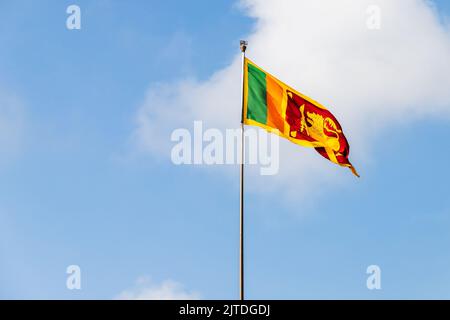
70	193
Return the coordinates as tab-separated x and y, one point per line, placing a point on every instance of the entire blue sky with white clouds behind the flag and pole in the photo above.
85	170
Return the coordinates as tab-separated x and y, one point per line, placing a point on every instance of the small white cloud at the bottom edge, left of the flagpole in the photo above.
167	290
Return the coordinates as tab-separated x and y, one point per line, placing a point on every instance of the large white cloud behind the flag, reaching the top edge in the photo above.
370	79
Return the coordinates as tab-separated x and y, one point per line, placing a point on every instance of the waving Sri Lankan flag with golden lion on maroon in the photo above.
276	107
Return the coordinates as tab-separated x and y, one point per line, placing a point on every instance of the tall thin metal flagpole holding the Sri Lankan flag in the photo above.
243	45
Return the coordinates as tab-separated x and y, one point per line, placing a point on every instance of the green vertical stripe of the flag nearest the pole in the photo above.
257	95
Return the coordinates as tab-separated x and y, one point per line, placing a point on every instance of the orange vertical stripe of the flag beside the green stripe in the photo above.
274	104
